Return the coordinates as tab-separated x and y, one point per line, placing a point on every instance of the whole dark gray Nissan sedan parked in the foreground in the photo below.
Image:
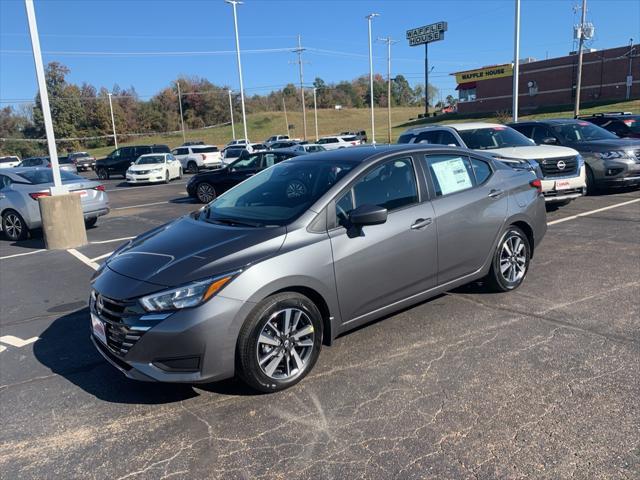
255	282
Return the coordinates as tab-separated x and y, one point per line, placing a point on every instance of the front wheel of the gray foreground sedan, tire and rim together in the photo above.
280	342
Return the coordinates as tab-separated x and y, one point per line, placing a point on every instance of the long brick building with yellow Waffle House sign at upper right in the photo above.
551	82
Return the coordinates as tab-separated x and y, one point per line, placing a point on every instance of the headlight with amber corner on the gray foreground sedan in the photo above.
187	296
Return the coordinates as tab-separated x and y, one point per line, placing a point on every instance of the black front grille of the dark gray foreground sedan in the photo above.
121	337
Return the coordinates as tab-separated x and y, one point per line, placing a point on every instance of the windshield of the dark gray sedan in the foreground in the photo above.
277	195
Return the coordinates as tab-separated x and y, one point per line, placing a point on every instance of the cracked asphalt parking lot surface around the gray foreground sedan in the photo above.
539	383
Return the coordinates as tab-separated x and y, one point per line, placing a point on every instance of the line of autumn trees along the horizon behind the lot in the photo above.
82	114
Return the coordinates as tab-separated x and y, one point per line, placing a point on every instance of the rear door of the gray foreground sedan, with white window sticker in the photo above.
470	206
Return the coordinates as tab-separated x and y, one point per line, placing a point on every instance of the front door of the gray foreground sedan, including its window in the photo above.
382	264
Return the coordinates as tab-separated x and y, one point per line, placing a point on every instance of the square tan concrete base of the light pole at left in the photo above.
62	221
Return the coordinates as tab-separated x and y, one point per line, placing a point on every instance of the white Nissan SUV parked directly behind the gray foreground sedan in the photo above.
562	168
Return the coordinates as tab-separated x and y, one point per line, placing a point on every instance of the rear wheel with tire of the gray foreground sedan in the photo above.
510	261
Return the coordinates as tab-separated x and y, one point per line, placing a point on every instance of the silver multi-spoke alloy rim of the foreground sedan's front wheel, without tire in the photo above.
285	344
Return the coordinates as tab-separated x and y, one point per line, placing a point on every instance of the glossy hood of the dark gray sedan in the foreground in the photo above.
187	250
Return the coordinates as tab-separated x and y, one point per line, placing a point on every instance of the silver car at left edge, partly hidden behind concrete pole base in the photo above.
20	189
